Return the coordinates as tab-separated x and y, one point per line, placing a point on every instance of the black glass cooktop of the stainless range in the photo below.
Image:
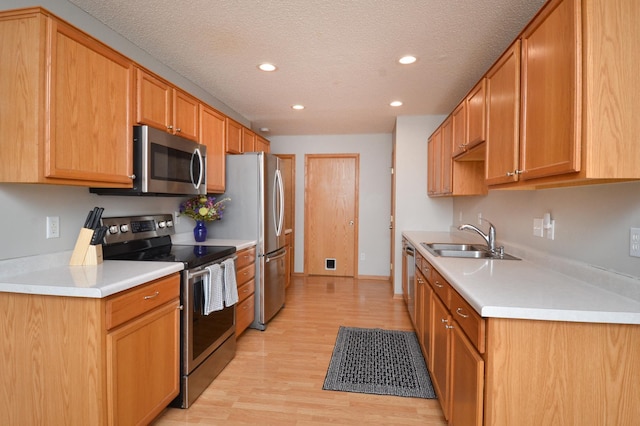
161	250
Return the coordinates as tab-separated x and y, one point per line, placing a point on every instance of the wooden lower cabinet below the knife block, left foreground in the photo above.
89	361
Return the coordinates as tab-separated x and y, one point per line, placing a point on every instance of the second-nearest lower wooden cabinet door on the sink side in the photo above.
441	362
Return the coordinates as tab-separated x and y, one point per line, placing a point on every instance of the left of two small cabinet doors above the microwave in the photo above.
153	101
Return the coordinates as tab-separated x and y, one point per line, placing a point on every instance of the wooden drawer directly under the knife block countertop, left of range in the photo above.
132	303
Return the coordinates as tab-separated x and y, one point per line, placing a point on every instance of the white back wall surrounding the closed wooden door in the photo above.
375	192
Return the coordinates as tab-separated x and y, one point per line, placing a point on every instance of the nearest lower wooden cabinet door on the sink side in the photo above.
467	381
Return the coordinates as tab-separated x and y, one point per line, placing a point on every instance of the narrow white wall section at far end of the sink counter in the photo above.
415	211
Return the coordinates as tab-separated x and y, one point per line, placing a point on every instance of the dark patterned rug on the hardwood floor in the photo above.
383	362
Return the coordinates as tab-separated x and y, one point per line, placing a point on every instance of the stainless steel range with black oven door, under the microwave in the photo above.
208	342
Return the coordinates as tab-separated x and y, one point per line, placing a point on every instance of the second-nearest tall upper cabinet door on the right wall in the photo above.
503	117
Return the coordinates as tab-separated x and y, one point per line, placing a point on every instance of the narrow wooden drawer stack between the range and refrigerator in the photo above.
245	278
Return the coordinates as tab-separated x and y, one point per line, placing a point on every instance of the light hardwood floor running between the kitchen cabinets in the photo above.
276	376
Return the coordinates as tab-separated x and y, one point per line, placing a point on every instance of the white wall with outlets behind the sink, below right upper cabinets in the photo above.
592	222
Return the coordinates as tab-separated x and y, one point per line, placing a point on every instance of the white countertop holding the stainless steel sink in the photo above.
527	290
